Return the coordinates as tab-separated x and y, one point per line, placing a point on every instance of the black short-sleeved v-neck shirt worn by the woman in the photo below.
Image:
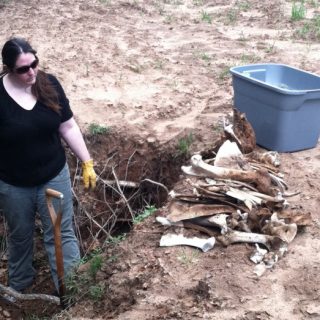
31	152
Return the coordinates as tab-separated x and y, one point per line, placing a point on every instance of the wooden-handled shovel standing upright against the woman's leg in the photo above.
56	222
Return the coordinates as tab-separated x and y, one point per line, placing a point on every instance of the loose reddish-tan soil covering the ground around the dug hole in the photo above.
156	72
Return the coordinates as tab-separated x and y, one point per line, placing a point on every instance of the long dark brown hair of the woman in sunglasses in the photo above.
43	89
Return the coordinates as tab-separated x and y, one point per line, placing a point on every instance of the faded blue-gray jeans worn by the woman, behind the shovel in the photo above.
19	206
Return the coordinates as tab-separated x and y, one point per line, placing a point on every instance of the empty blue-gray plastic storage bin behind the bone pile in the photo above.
282	104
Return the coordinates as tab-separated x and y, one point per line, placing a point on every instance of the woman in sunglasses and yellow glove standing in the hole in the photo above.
34	115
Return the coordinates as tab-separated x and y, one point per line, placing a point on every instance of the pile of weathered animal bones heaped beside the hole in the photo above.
238	196
